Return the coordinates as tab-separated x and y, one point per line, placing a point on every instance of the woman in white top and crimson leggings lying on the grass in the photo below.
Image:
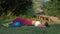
27	22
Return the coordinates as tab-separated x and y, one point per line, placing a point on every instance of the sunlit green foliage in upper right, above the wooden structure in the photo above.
53	8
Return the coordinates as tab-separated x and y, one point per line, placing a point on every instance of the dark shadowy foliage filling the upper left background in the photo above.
15	7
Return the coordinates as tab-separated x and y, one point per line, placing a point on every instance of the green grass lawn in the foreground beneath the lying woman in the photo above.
53	29
